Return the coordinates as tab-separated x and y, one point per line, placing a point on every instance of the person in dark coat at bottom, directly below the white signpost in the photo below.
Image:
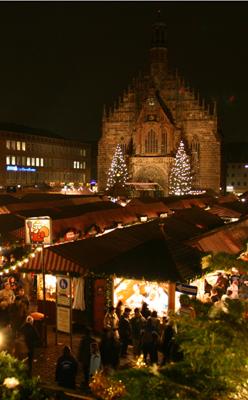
66	369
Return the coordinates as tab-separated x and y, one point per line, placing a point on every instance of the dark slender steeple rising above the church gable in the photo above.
158	51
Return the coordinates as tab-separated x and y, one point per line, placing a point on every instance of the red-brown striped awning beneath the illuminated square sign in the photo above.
53	263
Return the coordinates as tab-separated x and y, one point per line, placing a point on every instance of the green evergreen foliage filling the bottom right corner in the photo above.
214	363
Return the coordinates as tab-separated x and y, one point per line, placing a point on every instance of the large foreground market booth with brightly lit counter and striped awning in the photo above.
135	264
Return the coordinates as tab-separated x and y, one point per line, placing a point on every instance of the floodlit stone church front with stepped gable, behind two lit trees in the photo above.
152	116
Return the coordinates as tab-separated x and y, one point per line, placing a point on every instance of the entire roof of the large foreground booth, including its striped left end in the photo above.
138	251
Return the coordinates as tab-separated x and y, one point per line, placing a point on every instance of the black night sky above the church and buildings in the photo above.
61	61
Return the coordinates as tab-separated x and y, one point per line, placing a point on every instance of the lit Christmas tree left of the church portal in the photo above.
117	175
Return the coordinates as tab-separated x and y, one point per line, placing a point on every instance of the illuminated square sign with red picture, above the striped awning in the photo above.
38	230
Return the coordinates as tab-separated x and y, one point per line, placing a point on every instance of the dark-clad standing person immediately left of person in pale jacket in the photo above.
84	354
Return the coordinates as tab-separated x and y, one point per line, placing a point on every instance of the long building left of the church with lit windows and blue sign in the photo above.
32	157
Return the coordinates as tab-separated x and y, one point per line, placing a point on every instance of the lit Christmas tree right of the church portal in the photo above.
180	180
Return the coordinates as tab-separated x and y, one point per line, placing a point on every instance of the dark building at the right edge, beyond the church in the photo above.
236	156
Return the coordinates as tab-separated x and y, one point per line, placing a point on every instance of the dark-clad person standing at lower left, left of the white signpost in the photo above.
31	338
